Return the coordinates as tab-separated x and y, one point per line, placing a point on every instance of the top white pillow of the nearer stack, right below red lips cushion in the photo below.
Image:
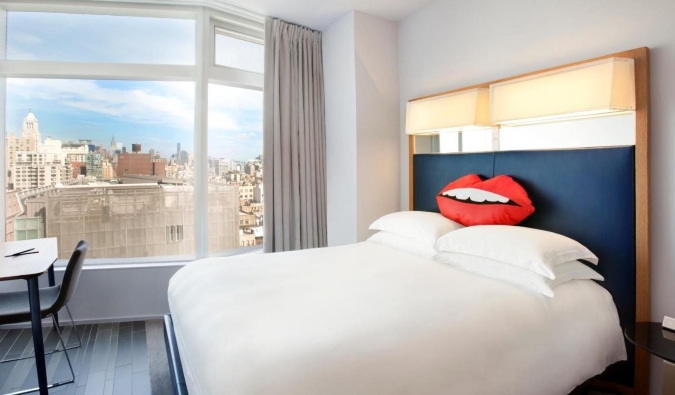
532	249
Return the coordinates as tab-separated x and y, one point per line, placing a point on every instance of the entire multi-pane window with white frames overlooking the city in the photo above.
116	159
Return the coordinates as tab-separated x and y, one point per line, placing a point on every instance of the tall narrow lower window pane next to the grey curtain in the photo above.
235	166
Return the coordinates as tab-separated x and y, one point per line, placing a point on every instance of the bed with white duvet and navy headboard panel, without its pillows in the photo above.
364	319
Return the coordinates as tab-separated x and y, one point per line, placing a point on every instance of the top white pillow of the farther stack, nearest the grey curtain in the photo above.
419	225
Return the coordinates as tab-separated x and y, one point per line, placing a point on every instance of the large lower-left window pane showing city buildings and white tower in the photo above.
89	125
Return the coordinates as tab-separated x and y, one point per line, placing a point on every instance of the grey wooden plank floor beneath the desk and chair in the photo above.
113	359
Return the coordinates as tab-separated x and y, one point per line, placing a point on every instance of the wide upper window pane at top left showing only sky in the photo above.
99	38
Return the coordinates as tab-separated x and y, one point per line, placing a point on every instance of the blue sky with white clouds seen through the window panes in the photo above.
156	114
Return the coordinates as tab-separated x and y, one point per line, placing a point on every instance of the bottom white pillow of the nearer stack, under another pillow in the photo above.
564	272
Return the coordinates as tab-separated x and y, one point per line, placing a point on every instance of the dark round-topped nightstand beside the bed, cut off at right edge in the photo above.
651	337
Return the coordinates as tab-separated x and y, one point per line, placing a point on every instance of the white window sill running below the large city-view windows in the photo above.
141	263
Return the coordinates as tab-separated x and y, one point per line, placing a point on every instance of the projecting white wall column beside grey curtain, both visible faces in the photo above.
360	55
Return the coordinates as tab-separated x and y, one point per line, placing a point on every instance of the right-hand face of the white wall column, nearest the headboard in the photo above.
376	41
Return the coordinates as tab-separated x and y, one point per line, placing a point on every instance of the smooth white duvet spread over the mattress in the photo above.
367	319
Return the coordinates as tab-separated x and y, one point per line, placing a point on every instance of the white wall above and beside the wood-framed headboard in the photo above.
450	44
